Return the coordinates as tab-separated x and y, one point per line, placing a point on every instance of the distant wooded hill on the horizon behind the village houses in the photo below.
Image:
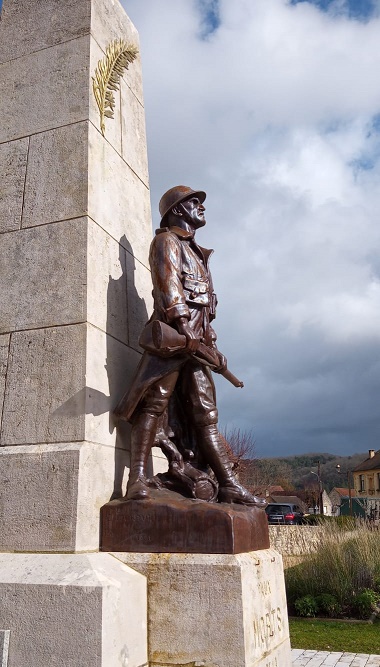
294	472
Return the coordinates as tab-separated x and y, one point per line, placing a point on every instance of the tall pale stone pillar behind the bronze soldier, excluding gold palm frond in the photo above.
75	287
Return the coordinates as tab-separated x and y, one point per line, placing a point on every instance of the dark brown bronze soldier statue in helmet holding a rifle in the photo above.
173	394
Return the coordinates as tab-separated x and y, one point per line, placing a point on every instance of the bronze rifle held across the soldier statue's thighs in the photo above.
159	338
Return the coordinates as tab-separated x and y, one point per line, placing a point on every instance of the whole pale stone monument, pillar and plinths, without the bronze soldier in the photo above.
75	293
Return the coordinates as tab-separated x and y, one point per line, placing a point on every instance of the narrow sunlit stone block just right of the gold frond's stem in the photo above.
133	136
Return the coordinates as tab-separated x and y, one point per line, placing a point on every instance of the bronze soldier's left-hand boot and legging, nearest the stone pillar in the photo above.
142	439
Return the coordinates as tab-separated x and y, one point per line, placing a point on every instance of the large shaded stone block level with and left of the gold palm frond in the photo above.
45	89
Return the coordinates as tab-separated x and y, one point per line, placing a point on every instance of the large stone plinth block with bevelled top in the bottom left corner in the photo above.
79	610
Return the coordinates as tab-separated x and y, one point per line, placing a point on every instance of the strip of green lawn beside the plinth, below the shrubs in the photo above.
335	635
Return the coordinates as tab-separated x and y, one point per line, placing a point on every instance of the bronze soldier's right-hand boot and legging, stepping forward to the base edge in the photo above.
215	452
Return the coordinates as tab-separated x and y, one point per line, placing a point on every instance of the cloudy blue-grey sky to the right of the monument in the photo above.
273	108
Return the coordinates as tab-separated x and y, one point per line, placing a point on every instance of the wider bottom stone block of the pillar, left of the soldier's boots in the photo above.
50	496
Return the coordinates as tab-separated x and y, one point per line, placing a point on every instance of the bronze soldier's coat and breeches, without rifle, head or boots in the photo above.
182	287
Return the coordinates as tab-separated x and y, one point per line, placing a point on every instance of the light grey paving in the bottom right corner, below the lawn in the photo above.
302	658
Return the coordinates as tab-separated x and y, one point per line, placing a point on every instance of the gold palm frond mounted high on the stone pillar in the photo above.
119	54
